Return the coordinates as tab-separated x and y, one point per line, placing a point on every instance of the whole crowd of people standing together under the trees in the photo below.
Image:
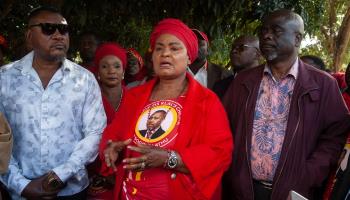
171	124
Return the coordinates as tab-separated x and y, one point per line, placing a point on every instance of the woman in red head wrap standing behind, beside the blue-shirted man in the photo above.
110	60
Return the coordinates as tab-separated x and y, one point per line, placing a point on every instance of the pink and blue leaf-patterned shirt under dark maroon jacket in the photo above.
270	122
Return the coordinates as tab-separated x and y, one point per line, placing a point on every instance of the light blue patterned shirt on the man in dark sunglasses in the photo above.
57	128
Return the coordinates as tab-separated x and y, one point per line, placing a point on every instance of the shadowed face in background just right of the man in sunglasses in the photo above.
87	47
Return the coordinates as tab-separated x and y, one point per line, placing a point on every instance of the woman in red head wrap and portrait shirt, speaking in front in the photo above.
171	138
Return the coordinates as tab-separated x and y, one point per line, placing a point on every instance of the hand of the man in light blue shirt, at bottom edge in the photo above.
35	190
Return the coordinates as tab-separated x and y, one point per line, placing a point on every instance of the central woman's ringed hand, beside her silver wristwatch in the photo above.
150	157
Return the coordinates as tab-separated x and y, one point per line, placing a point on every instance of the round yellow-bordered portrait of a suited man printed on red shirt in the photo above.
157	124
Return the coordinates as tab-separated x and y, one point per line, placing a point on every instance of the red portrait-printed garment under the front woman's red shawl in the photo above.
153	183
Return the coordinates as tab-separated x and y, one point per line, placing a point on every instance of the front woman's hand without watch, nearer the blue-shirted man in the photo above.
111	153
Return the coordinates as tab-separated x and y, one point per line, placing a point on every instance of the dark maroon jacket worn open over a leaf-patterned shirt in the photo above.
317	126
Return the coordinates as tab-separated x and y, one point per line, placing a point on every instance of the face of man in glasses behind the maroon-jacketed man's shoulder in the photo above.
243	54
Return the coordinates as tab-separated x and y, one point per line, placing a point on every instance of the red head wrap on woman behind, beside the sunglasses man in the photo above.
110	49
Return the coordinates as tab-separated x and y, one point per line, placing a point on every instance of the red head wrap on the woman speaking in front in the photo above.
181	31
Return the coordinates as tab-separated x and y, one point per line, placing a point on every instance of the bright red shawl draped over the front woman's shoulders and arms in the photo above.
204	141
